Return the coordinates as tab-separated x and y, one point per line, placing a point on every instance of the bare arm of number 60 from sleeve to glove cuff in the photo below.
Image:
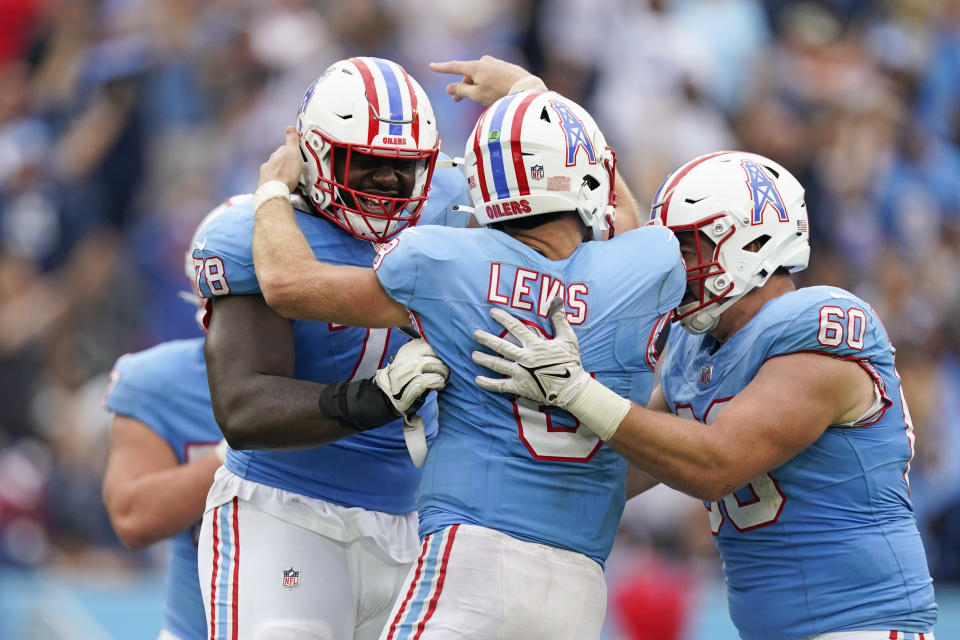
785	408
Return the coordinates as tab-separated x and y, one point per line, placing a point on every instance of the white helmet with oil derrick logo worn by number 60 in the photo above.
734	199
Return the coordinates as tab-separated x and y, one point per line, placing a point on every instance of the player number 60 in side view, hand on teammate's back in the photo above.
795	430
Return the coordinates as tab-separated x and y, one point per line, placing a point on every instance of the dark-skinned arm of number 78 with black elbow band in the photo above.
258	404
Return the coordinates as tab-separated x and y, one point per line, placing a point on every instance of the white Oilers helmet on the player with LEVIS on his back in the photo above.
535	152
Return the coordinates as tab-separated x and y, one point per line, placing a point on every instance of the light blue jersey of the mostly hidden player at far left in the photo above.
165	388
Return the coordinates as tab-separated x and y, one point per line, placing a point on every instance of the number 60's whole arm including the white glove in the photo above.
790	402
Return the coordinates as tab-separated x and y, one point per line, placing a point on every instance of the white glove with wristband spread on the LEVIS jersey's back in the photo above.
548	371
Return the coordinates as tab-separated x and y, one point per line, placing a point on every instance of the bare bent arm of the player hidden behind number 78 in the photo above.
148	494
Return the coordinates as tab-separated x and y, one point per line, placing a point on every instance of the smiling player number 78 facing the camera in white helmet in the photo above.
310	527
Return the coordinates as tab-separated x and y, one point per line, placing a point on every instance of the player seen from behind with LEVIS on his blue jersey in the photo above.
507	486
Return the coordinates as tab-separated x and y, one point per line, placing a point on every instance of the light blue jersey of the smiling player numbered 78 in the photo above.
371	469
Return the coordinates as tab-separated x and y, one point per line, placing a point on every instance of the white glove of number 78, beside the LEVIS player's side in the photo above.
414	371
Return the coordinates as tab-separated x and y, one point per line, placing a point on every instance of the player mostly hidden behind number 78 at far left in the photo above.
165	447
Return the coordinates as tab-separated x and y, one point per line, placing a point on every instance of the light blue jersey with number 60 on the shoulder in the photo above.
827	541
